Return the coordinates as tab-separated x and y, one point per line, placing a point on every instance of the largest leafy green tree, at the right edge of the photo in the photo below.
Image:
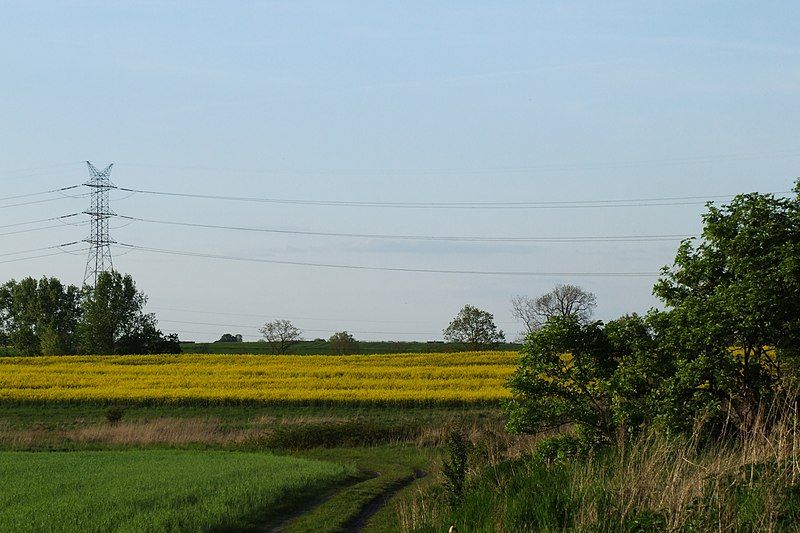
733	300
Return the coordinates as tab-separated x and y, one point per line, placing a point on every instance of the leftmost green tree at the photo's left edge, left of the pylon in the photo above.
39	317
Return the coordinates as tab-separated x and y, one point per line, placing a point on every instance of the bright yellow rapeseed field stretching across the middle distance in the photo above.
402	379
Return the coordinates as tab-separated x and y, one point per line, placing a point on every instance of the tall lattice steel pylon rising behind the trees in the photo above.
99	240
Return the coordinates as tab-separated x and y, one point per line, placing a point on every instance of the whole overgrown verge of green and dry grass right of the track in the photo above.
742	482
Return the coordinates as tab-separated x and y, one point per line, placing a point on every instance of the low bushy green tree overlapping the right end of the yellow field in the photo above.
597	377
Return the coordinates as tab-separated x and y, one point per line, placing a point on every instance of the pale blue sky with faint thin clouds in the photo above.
387	102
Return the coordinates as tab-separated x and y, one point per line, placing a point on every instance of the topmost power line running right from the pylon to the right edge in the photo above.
574	204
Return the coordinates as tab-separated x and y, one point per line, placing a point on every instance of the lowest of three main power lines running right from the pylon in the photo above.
387	269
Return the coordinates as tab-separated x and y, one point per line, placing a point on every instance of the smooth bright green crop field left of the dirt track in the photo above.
156	490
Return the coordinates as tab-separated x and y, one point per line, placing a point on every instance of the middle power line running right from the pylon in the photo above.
617	238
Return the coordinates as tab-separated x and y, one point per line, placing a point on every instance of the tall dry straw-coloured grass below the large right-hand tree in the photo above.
693	483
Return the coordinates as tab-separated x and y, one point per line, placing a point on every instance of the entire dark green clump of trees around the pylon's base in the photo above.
46	317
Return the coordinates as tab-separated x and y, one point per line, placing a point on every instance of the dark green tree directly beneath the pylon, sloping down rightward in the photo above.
114	322
